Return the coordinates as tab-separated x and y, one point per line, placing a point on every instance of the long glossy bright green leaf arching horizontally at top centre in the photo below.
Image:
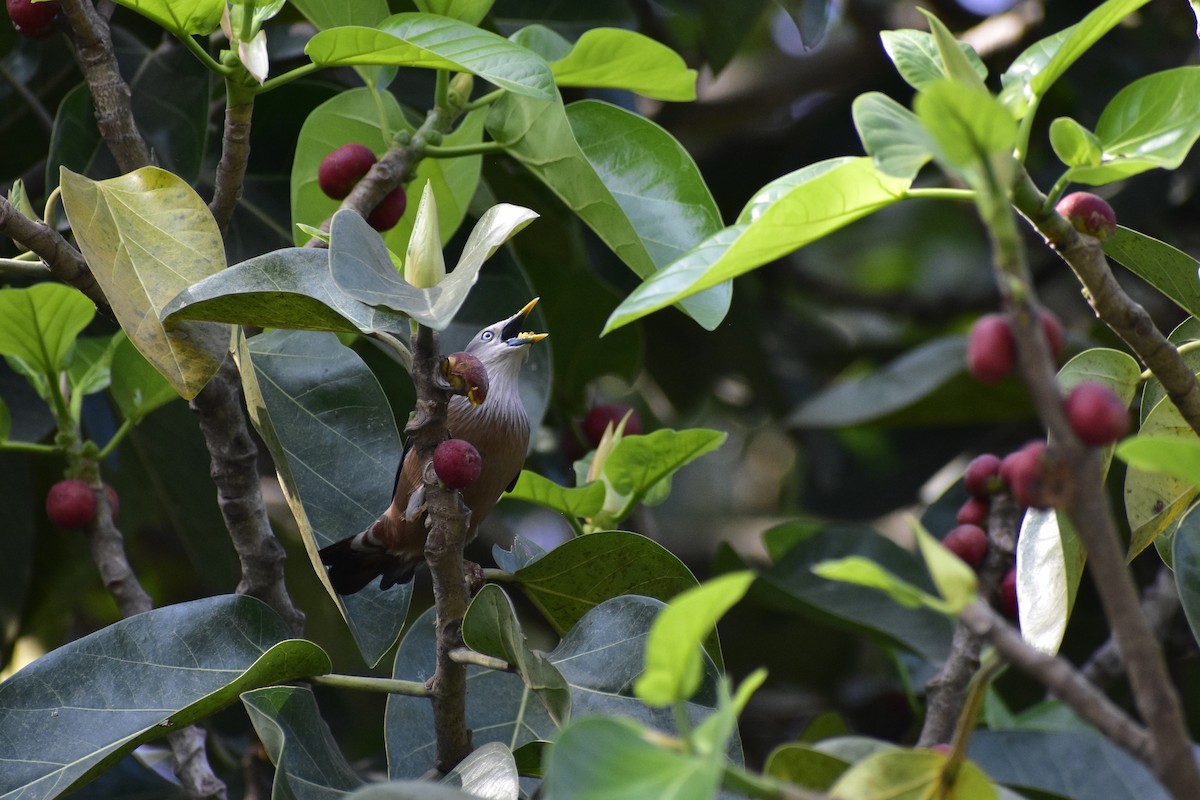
434	43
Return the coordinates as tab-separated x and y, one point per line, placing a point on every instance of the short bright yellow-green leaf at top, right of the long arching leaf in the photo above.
615	58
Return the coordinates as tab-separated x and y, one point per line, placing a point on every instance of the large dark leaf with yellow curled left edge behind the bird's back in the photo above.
335	444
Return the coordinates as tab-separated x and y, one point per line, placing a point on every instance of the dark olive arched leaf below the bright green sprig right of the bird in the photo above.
580	574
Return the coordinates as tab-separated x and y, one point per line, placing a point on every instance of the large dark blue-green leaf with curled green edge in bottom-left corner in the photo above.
75	712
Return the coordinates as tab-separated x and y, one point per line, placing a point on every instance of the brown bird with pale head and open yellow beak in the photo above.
494	420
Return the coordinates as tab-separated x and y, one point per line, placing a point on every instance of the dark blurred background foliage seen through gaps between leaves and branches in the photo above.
777	83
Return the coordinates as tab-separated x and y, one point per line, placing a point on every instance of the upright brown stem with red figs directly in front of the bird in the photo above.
443	552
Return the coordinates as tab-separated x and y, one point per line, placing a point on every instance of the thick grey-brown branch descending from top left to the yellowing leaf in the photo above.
111	95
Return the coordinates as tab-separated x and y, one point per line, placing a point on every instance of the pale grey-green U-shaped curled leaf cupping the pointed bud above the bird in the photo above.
363	269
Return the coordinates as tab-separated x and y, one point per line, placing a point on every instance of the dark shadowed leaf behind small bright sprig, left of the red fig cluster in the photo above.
791	586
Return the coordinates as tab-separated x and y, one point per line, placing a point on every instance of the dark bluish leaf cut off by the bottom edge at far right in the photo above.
1084	765
